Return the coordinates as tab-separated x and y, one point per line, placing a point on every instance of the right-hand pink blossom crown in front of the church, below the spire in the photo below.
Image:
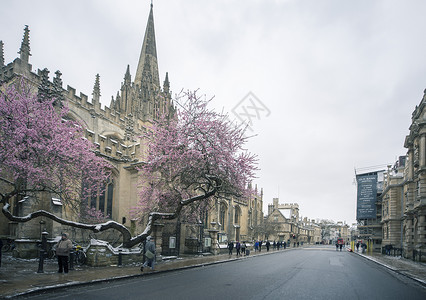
192	158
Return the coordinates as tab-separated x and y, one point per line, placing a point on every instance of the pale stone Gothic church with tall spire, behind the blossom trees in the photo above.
118	133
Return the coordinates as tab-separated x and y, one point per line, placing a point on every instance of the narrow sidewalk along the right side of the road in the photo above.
406	267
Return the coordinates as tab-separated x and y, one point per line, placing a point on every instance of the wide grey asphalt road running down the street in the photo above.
309	273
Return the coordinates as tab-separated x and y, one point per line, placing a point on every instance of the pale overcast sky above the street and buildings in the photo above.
336	81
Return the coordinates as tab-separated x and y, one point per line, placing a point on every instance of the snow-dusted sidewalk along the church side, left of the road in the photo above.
19	276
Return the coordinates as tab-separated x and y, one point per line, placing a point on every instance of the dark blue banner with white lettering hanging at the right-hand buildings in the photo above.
367	196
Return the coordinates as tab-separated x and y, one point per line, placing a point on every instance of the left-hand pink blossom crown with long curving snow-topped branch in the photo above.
43	152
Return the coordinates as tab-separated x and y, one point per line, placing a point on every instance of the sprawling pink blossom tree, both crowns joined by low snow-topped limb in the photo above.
197	155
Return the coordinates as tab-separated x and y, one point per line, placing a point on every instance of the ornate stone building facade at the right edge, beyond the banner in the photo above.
402	202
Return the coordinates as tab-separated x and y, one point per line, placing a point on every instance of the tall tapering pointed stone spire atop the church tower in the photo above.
147	70
